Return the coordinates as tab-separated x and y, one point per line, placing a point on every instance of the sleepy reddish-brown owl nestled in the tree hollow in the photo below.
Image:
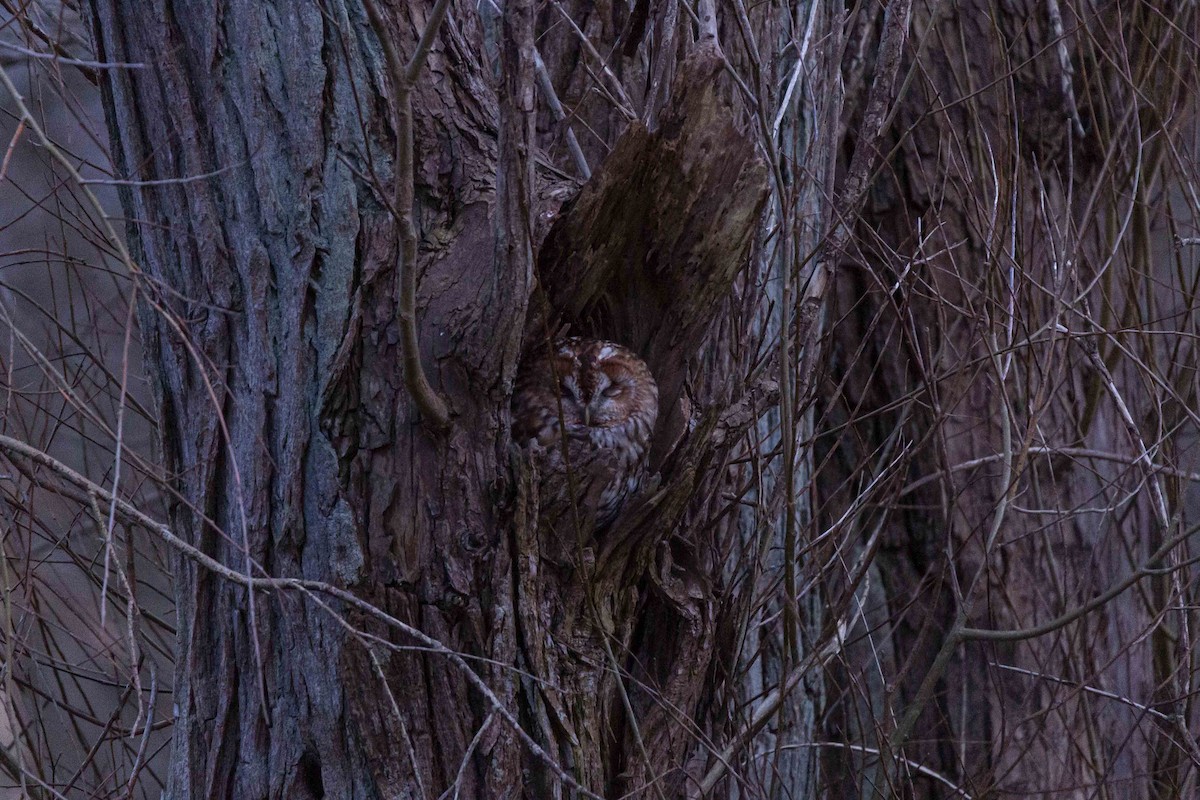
605	400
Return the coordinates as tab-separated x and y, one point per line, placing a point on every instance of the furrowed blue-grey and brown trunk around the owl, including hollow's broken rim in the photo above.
269	327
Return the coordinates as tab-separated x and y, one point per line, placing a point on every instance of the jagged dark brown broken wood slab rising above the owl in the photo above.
649	251
